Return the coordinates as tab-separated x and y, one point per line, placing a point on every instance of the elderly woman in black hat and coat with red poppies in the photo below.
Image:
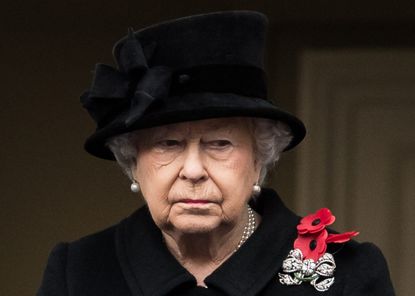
185	114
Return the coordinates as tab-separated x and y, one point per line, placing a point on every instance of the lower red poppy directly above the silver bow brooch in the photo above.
312	245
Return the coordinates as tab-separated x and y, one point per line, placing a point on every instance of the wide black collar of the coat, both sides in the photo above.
140	248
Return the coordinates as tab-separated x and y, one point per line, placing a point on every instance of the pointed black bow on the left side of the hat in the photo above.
134	87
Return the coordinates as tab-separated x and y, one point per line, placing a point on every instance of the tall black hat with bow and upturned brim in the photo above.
196	67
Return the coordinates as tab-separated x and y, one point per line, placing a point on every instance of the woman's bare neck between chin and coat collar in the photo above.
202	253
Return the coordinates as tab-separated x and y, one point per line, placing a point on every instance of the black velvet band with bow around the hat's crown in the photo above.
113	93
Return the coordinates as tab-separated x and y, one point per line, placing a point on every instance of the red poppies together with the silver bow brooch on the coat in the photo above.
308	261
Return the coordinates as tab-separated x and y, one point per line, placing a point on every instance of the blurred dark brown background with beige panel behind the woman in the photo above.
347	68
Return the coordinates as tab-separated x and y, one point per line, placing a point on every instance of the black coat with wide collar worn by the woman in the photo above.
130	258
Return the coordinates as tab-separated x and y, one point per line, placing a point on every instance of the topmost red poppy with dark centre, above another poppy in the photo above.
316	222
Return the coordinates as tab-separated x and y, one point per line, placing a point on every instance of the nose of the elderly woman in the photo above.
193	167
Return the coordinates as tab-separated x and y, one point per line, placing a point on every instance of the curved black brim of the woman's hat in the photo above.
191	107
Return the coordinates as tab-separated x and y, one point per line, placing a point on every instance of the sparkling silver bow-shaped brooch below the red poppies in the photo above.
319	274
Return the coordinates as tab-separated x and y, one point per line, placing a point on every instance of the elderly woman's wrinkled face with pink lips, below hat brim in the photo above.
197	176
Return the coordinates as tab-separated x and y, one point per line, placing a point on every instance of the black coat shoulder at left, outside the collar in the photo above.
85	264
